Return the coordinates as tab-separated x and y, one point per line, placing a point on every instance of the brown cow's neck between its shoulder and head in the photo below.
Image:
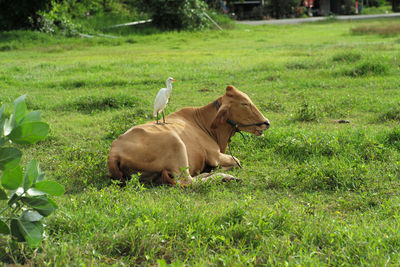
222	134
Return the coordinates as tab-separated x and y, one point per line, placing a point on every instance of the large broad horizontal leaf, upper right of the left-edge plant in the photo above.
29	132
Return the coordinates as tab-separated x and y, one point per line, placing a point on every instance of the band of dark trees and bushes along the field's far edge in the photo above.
71	17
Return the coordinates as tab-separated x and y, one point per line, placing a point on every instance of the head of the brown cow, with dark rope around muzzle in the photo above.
237	108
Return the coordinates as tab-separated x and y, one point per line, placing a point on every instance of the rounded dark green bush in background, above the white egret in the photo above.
177	14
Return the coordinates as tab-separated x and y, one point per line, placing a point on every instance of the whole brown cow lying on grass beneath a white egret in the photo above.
191	142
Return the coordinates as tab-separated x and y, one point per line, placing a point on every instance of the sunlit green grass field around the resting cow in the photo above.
313	191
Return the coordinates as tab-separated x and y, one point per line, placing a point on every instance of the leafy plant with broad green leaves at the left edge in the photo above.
23	195
